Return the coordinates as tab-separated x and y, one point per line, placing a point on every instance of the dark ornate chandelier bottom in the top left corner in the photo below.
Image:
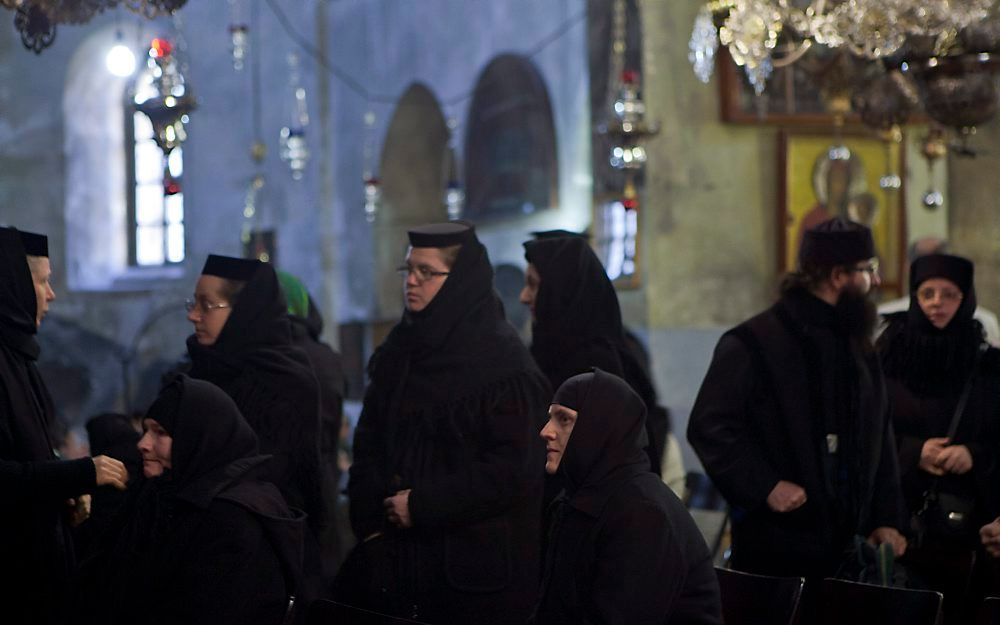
36	20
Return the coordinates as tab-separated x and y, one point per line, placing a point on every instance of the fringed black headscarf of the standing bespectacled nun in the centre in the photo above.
459	344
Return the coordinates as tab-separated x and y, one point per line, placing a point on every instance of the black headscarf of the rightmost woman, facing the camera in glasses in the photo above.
925	357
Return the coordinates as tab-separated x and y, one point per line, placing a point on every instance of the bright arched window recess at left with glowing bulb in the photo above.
112	173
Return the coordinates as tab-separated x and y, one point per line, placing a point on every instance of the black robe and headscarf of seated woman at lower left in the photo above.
208	542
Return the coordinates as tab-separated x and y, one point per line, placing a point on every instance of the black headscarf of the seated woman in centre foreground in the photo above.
608	439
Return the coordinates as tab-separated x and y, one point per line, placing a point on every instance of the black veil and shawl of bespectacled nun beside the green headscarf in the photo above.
273	384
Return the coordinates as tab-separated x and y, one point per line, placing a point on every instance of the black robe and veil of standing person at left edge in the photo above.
35	543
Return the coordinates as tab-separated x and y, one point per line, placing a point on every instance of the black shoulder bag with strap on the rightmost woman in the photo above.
946	516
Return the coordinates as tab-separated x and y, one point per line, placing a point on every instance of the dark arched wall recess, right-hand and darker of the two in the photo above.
511	163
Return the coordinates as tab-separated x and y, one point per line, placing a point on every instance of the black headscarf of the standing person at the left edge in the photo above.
18	306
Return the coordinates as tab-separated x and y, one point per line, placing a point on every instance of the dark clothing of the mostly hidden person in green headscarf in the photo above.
329	371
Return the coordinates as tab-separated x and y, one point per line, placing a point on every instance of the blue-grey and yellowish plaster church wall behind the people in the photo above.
708	217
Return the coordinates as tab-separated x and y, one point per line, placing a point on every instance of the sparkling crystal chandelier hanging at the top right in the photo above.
902	55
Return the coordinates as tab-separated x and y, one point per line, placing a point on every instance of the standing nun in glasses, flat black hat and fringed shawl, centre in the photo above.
445	488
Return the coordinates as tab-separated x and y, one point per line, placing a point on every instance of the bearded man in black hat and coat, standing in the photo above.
791	420
